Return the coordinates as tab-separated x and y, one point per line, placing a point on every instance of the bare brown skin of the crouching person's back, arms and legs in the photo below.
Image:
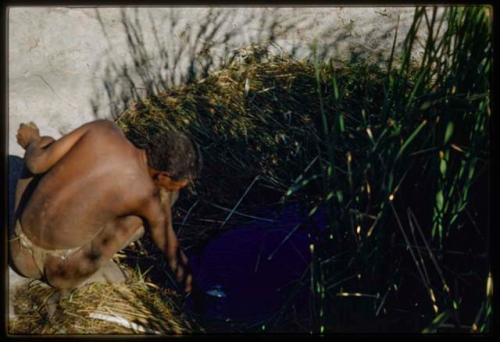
91	189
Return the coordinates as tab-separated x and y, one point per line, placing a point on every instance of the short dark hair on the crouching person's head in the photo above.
174	153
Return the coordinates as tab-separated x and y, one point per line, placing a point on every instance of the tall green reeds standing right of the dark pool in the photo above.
432	128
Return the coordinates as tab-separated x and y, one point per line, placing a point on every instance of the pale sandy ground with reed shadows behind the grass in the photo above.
66	64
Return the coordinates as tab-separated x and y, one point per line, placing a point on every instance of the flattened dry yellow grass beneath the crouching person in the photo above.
134	307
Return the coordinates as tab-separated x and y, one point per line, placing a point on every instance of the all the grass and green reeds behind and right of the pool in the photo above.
394	154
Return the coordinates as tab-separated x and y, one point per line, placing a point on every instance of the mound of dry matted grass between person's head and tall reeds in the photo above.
256	117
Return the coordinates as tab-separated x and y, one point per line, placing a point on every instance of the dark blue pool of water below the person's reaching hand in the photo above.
248	273
